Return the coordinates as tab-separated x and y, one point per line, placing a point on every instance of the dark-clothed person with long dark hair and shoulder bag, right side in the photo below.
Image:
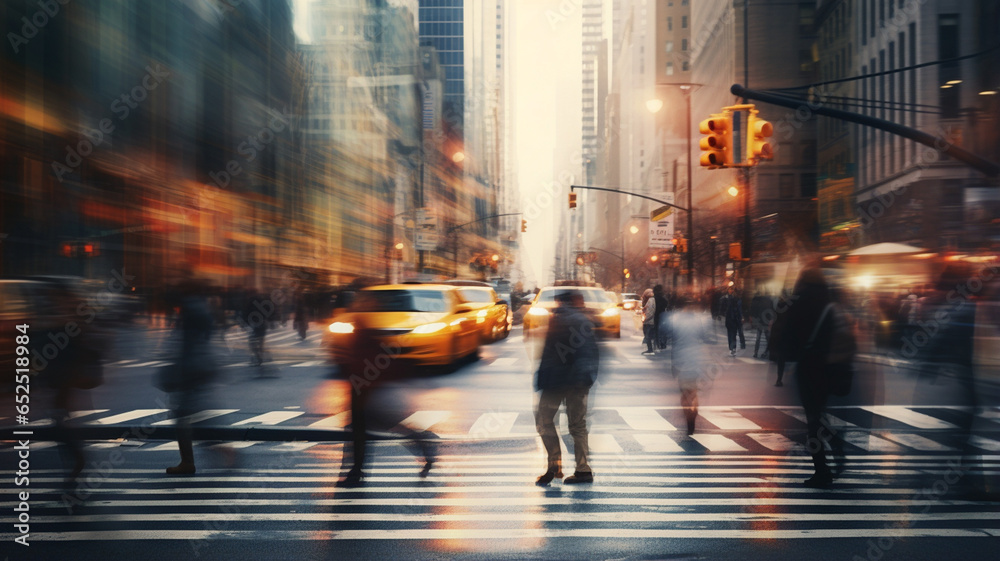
806	338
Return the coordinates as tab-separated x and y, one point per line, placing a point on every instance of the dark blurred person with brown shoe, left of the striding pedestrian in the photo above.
192	369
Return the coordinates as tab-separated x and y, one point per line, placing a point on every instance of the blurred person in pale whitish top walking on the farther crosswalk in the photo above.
690	333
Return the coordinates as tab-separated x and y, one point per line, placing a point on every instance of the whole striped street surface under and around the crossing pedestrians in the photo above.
655	494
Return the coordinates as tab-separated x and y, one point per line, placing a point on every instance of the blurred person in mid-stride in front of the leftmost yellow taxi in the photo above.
369	370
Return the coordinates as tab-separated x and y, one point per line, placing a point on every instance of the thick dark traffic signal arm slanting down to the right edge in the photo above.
990	169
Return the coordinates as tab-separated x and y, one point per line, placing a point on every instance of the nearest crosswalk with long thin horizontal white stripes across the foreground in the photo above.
492	496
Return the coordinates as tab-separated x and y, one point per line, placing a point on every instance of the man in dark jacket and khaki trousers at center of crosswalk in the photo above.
567	370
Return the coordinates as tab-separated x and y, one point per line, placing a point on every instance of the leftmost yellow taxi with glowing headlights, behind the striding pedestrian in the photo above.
421	324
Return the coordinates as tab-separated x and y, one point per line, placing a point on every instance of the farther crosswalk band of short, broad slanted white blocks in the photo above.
748	429
